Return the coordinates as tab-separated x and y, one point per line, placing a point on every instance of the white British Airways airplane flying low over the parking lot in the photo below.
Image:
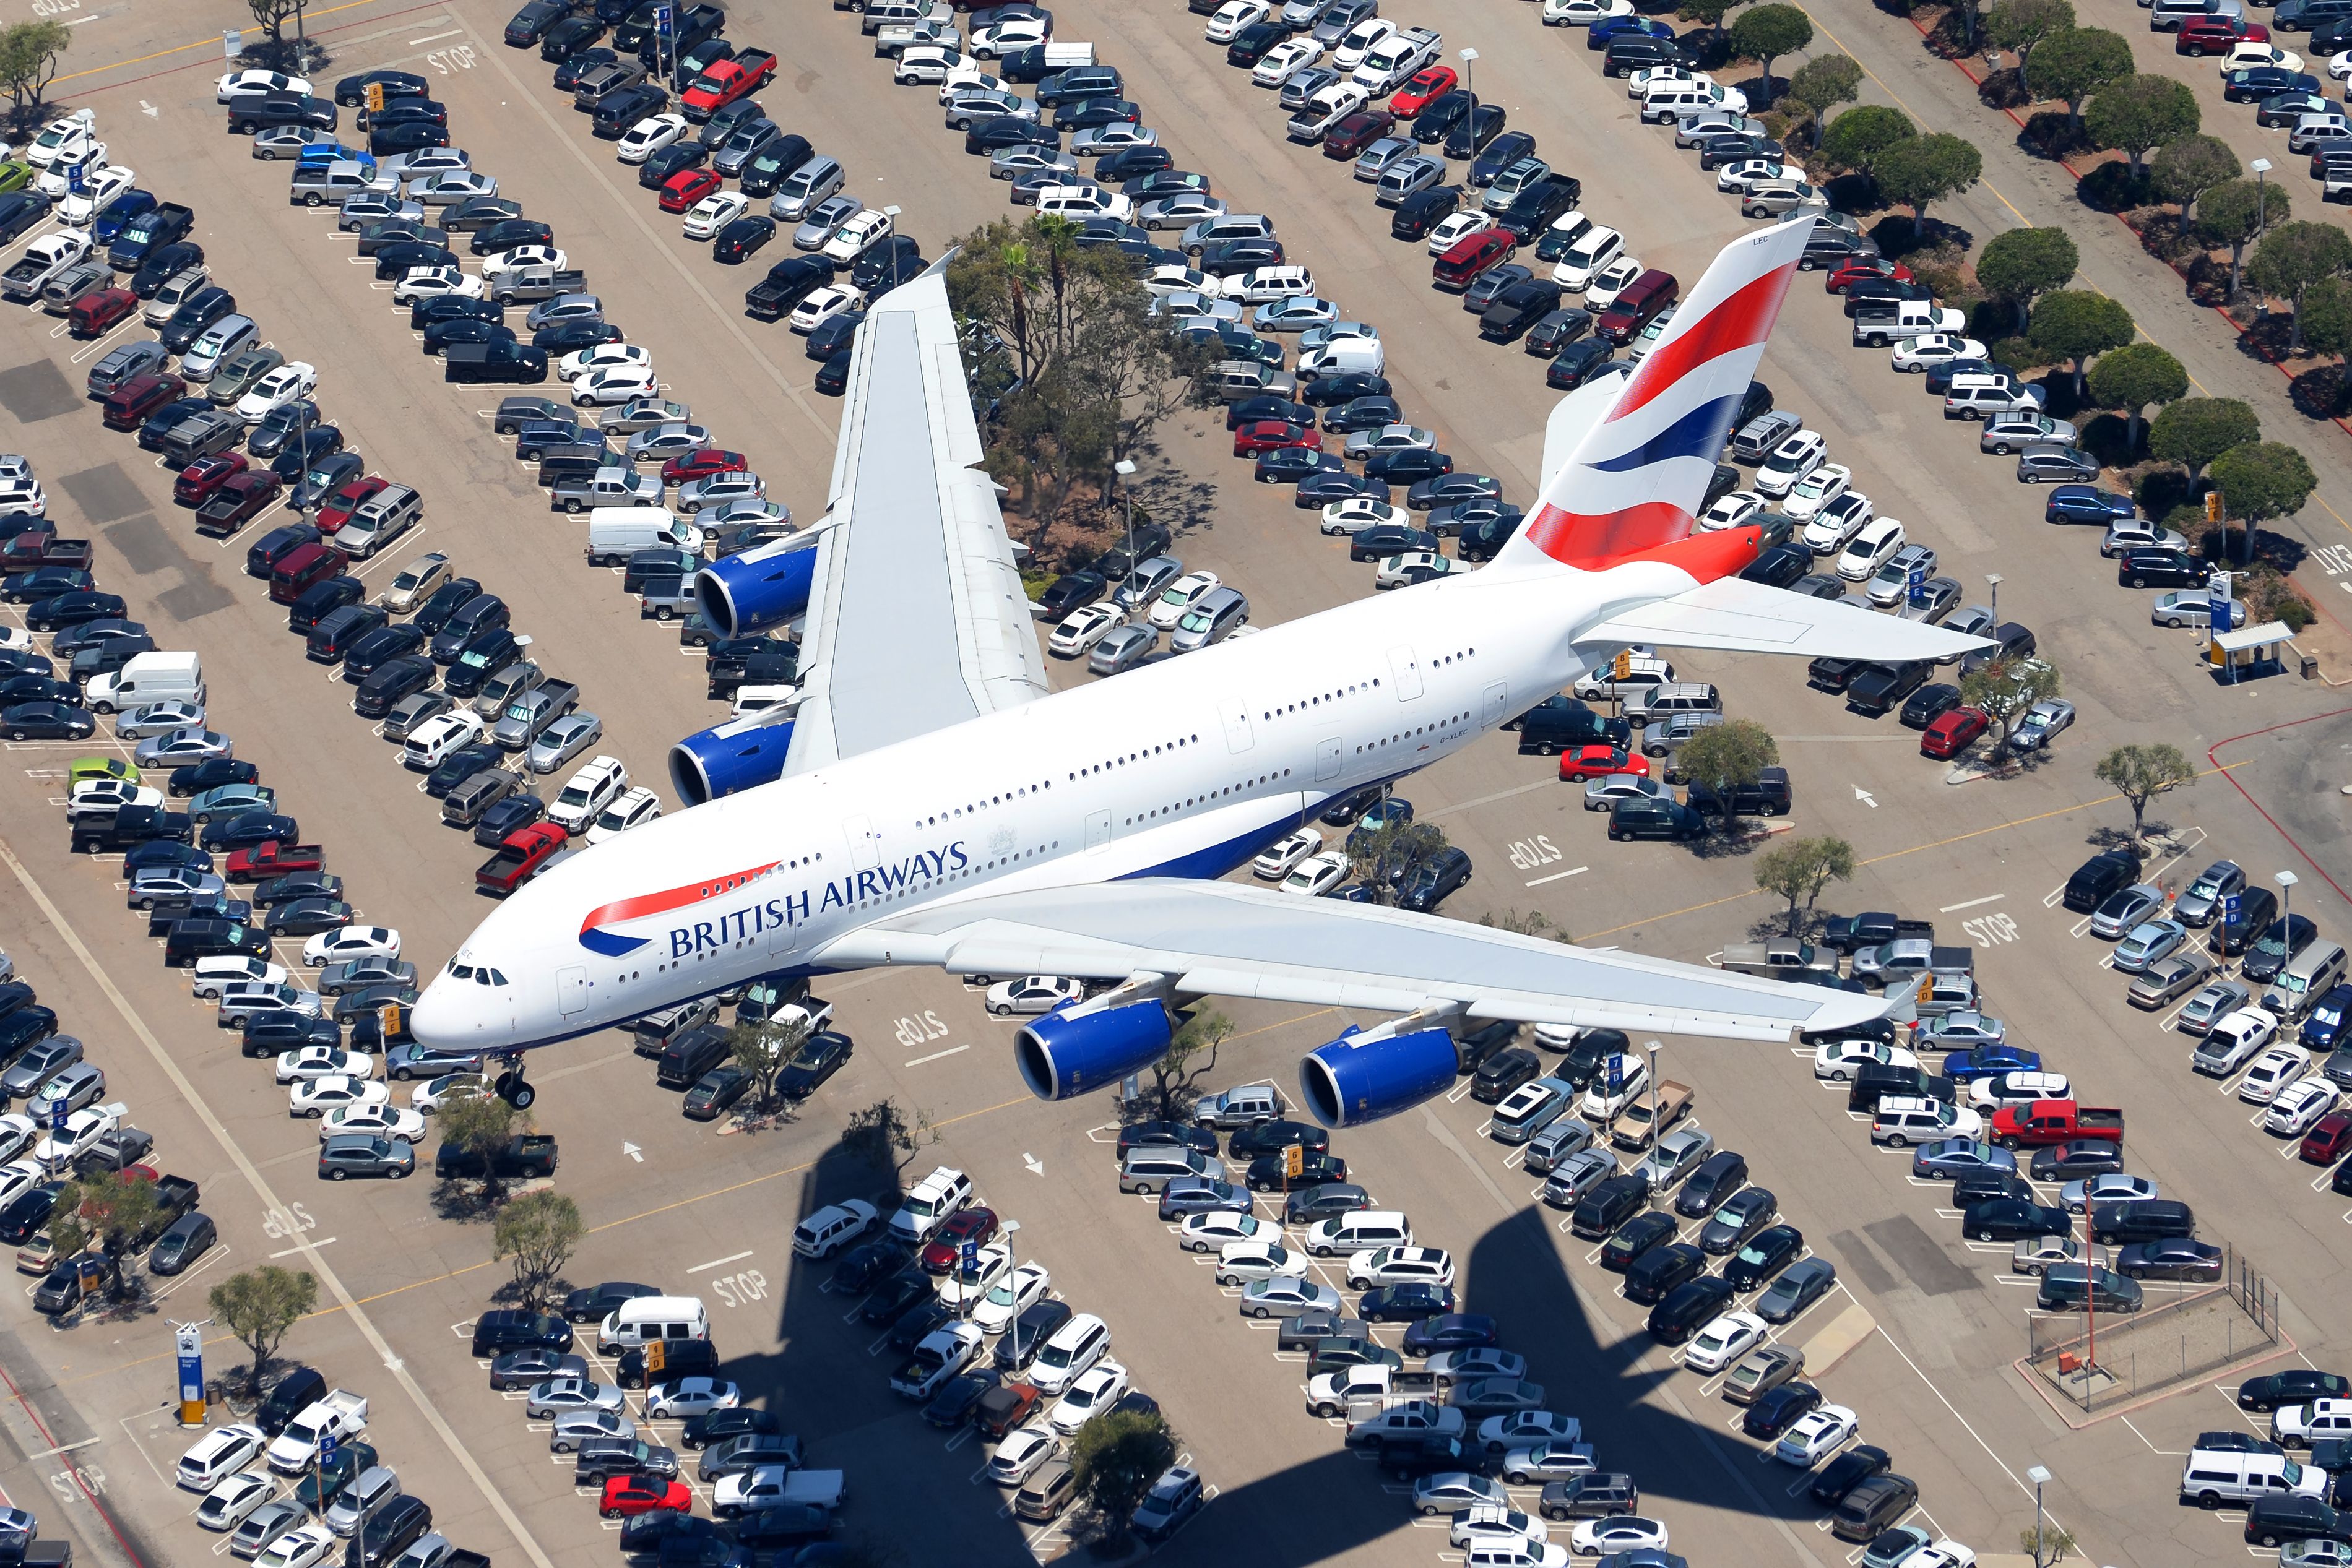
930	803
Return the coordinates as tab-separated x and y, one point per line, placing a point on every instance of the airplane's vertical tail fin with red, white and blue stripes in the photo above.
1636	481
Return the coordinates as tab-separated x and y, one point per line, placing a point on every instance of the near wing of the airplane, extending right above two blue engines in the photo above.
1243	942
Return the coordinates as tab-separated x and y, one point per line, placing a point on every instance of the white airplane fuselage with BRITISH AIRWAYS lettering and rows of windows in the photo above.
1177	770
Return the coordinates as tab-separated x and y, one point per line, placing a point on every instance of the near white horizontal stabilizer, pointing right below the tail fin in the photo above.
1742	617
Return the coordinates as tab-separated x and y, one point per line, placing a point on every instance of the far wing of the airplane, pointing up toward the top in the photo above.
916	610
